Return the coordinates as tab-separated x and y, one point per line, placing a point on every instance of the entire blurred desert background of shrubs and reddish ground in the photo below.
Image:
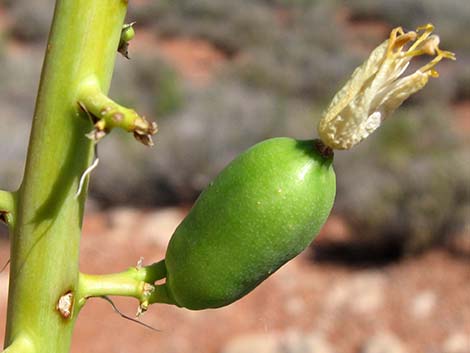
390	272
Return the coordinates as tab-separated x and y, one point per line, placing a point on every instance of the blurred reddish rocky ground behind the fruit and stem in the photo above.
420	304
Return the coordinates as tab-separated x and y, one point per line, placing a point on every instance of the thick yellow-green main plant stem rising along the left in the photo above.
46	236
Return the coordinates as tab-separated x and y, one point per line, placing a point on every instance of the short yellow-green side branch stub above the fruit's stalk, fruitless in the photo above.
107	114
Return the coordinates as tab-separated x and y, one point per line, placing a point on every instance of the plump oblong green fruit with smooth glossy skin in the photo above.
262	210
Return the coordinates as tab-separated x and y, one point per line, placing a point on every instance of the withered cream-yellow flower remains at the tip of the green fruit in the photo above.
377	87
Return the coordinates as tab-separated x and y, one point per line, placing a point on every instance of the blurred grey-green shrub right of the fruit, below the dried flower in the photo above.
405	186
